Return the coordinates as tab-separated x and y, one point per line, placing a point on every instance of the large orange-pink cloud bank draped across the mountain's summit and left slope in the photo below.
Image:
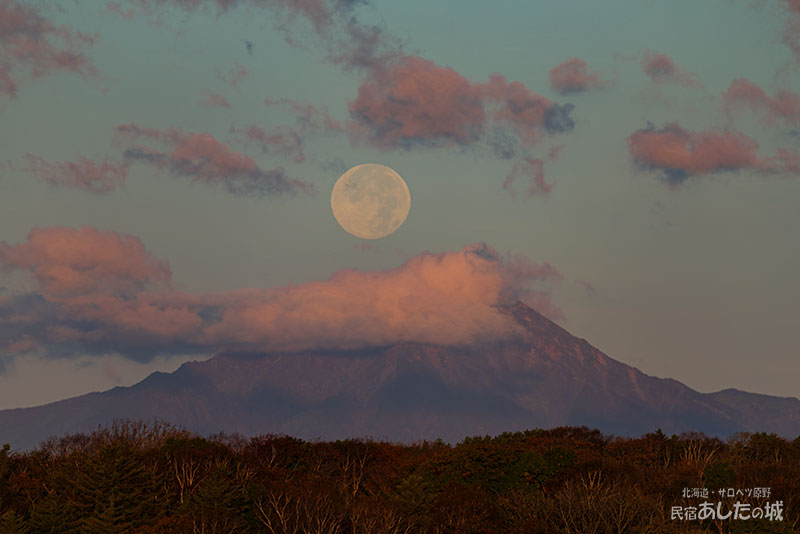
101	292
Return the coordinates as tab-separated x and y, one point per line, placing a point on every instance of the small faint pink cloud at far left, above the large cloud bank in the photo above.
84	174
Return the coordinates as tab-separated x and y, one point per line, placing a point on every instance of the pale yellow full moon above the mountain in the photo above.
370	201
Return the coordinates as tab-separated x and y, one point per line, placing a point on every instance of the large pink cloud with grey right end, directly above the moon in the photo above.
414	102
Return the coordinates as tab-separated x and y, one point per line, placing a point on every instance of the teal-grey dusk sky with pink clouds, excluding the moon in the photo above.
629	169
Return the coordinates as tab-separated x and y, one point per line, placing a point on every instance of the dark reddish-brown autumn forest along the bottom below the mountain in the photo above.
147	478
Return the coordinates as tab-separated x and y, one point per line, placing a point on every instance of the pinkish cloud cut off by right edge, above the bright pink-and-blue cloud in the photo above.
742	93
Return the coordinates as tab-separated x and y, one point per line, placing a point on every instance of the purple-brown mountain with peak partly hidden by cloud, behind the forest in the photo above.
407	392
